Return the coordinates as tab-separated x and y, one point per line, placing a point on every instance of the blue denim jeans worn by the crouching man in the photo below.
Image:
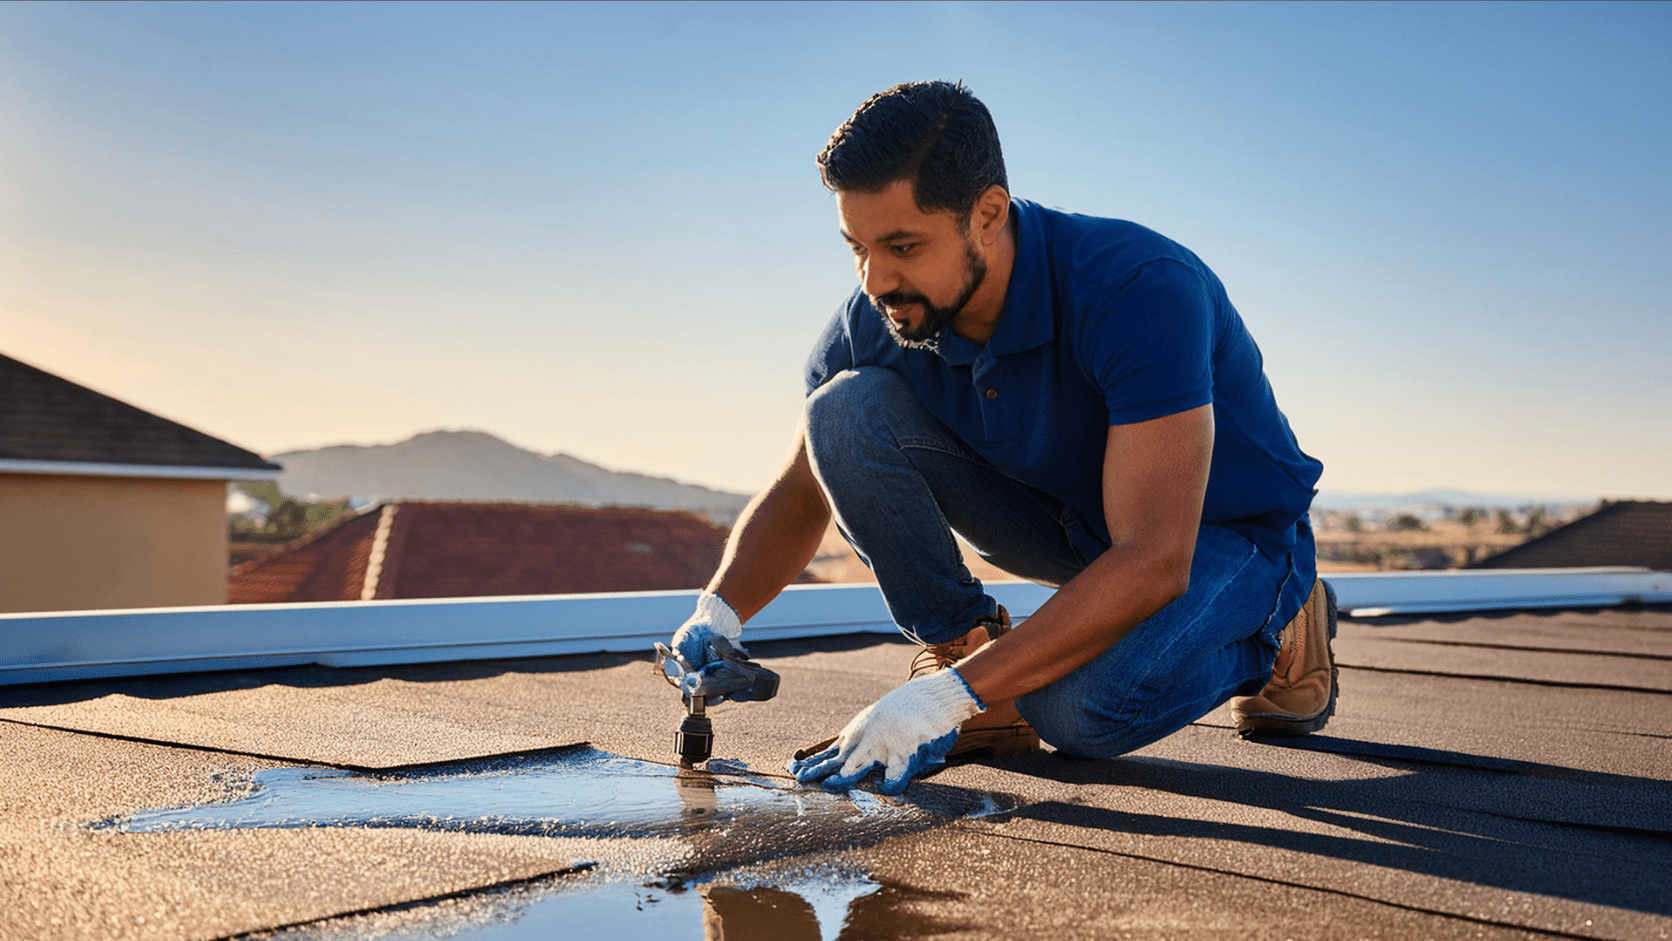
900	484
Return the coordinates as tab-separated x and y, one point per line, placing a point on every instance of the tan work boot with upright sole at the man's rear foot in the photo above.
1302	694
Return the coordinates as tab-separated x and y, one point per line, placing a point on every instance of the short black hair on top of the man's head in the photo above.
937	135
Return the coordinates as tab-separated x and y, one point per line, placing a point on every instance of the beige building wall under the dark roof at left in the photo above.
111	542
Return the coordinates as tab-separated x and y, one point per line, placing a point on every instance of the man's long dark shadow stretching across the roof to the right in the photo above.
1512	825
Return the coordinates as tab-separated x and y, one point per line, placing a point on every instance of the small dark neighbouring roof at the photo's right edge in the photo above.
1629	532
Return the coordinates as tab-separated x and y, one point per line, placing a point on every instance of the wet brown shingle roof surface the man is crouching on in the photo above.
1496	778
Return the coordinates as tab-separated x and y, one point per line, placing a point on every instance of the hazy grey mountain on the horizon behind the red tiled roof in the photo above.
474	465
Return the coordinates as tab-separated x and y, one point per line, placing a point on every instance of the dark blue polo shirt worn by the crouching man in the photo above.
1104	323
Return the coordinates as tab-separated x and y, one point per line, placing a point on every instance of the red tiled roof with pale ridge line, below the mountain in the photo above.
456	551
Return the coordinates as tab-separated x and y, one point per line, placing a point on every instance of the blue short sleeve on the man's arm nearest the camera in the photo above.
1149	348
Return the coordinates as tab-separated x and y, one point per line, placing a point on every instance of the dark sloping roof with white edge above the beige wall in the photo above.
69	429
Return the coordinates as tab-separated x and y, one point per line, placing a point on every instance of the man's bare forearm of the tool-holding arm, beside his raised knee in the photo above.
775	539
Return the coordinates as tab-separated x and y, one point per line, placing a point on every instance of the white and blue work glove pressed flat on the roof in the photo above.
905	733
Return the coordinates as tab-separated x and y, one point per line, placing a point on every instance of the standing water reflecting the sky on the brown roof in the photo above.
720	883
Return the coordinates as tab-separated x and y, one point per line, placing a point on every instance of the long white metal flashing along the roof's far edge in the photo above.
73	646
